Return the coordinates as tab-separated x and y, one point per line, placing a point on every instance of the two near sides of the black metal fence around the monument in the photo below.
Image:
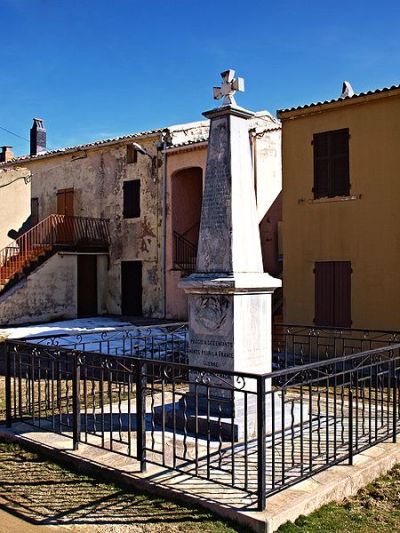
256	434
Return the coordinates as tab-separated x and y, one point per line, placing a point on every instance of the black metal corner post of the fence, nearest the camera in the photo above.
261	470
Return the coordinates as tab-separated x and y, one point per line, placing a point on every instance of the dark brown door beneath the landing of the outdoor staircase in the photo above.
87	285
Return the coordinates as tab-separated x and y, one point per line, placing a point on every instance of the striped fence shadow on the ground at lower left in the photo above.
44	493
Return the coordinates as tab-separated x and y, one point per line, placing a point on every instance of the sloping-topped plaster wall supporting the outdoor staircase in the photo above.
48	293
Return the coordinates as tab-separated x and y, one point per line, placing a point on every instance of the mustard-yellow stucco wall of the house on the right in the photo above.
364	230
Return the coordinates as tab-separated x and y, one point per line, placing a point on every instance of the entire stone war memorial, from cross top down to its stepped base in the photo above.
229	295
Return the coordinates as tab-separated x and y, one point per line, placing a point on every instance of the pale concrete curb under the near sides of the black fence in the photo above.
333	484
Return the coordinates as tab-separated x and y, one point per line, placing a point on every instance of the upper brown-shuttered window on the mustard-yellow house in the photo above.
331	164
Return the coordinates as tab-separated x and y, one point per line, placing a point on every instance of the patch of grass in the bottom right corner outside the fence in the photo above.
376	508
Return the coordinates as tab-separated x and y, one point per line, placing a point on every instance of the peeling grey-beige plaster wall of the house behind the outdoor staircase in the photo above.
97	177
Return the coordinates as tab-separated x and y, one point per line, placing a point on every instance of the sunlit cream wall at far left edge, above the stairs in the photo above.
15	198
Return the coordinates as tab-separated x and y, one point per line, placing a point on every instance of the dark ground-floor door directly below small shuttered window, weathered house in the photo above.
131	288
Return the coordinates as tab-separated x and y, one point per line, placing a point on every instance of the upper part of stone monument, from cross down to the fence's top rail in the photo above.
229	295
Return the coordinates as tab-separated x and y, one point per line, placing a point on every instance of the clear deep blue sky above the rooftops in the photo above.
99	68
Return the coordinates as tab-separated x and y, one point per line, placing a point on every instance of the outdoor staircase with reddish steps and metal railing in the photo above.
54	233
